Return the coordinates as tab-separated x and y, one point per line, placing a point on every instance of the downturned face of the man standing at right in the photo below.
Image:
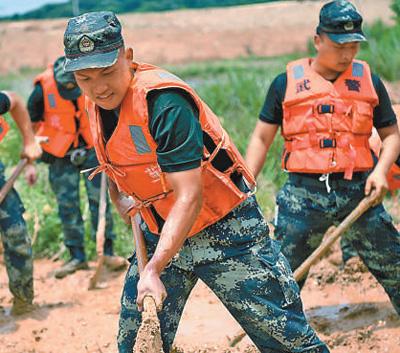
334	56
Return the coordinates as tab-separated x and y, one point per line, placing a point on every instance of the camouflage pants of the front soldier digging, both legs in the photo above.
236	258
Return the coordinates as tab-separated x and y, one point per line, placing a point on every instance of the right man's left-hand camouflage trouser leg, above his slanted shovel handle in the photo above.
304	215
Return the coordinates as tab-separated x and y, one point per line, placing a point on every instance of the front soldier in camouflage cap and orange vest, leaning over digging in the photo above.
141	113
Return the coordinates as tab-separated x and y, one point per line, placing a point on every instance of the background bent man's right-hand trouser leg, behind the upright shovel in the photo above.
93	192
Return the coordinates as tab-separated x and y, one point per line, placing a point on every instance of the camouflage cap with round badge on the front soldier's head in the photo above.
92	40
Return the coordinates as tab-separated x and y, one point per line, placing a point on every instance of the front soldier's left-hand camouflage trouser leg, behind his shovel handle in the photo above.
178	283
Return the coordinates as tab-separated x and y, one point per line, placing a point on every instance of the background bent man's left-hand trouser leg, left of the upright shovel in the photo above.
64	180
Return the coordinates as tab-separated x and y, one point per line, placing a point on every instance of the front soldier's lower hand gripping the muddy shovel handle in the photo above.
151	285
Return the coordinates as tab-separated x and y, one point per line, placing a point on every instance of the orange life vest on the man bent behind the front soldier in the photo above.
60	118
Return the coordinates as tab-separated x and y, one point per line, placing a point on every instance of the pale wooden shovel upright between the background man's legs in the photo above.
100	234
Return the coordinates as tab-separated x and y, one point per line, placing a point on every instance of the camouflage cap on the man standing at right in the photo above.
341	21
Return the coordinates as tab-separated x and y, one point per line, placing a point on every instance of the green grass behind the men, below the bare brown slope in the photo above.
234	89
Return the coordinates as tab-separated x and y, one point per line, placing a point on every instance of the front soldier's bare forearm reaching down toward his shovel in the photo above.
174	233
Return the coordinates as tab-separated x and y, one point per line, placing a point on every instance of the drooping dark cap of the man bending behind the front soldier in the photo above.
66	83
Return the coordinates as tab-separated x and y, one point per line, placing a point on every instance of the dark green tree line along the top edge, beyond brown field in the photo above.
121	6
